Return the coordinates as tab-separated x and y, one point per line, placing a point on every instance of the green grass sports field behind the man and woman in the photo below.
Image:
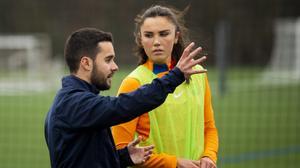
258	123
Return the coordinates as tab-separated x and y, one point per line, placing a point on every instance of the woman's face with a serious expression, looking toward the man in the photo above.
158	35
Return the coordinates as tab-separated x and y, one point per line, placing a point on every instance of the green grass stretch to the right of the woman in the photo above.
258	124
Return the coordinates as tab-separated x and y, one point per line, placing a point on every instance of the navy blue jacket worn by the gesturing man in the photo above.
77	126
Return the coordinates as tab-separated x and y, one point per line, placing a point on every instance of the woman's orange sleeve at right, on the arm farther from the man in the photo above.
210	131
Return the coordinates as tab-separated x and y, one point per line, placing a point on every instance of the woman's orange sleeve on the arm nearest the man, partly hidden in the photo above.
124	133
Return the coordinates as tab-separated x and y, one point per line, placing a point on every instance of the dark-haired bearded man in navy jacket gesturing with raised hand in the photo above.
77	126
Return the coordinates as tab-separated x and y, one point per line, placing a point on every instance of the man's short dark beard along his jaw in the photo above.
98	79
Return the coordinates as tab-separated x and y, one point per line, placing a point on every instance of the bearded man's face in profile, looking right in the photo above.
104	66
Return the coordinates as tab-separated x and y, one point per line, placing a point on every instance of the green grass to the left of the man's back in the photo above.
22	141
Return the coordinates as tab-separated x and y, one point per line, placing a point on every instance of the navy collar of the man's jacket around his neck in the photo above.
74	82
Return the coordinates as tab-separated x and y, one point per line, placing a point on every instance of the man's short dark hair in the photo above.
83	42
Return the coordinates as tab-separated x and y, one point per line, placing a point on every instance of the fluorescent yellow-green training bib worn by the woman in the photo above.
177	126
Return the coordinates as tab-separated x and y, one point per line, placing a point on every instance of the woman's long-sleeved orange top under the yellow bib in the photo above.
125	133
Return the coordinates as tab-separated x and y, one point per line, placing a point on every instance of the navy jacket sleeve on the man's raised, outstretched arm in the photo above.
82	110
